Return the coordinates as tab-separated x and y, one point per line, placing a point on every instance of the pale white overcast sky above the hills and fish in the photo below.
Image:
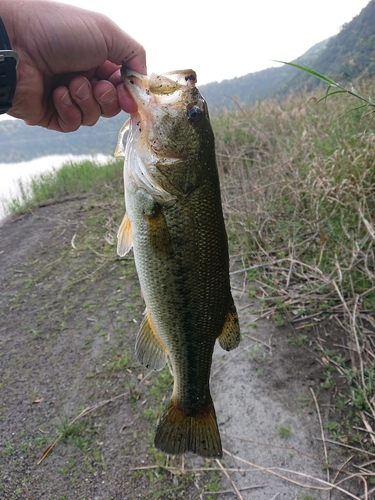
222	40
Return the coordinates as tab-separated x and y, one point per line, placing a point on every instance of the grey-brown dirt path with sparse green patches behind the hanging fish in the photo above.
69	313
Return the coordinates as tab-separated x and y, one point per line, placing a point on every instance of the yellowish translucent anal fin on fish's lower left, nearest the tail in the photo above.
150	350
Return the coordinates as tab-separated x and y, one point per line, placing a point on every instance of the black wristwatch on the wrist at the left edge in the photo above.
8	64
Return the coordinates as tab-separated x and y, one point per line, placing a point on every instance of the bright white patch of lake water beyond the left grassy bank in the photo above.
11	172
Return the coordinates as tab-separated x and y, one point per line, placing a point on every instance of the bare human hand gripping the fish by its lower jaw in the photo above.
69	69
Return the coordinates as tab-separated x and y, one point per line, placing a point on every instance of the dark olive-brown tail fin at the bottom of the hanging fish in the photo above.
179	433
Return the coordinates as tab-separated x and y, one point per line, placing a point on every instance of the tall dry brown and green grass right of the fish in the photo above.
299	197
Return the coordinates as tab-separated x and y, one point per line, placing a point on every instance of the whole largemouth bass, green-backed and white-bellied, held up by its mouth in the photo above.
174	223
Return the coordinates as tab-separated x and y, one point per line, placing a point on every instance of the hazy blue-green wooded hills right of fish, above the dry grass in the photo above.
346	56
